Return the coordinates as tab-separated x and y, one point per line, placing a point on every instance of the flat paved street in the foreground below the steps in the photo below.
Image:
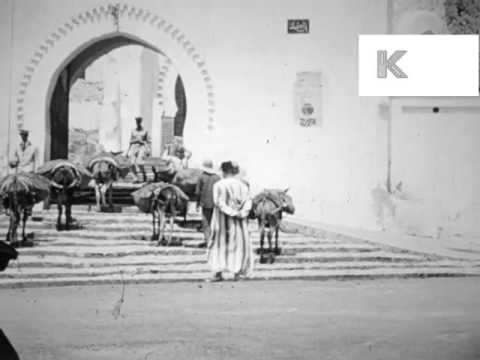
383	319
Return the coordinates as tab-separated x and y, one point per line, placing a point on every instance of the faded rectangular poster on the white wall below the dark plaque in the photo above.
308	99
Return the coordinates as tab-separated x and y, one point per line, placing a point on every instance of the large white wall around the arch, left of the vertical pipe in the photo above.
253	65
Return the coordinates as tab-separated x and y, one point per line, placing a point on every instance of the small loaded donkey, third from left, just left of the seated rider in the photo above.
105	172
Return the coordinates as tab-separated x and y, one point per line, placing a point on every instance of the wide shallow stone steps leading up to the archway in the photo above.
115	248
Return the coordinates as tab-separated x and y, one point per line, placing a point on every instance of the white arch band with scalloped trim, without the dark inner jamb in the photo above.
84	29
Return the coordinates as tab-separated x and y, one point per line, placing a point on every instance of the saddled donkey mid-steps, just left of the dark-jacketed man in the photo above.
168	202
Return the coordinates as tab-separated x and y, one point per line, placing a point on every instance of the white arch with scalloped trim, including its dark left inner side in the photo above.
43	90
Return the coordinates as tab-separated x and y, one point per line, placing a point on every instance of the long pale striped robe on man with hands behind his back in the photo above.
230	248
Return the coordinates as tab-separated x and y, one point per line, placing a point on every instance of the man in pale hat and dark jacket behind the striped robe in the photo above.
204	194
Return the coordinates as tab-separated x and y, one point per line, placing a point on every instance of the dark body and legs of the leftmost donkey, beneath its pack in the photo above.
18	206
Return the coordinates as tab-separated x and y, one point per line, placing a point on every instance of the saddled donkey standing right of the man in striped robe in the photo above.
268	208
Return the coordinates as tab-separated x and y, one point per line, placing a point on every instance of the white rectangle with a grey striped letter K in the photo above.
418	65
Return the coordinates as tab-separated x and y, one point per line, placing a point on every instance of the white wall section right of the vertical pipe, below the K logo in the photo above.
435	156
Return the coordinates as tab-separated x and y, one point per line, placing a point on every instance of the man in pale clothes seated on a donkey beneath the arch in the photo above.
139	149
